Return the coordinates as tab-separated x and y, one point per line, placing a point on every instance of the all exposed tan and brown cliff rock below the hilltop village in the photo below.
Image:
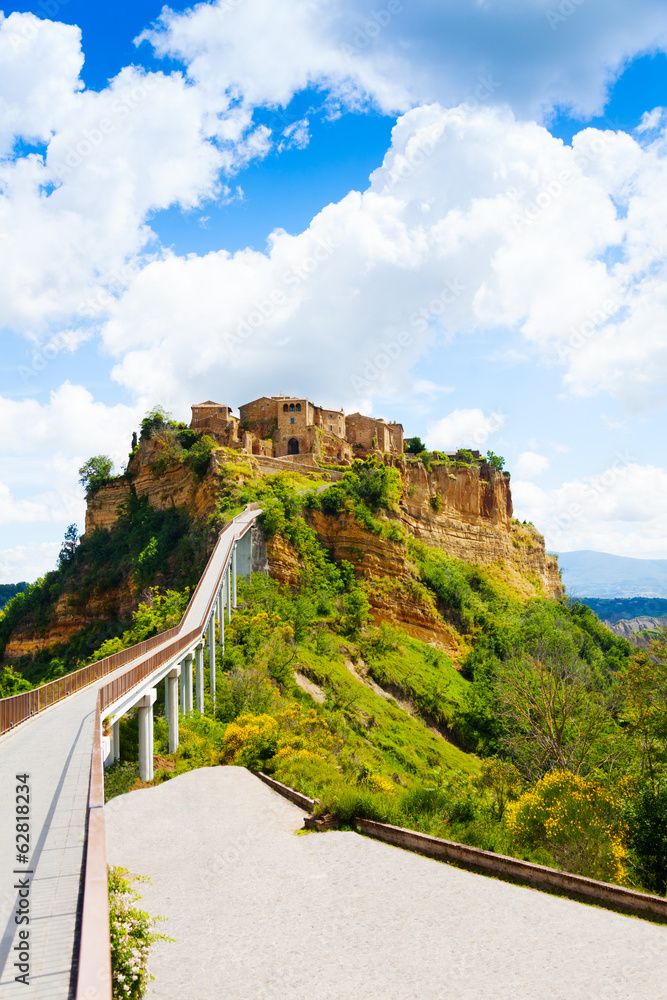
465	511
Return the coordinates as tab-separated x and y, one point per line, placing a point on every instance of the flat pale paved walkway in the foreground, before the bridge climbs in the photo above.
54	748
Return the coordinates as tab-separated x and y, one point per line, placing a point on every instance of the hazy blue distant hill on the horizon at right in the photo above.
599	574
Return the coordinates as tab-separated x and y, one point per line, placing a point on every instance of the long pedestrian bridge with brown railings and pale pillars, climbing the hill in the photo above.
57	738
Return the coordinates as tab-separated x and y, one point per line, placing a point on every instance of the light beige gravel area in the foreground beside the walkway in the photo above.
262	914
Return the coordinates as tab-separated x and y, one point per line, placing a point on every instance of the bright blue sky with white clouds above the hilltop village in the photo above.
400	153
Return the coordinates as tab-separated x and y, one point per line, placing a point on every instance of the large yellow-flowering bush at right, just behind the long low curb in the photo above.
574	818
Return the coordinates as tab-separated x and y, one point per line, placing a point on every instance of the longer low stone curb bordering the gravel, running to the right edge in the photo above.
578	887
